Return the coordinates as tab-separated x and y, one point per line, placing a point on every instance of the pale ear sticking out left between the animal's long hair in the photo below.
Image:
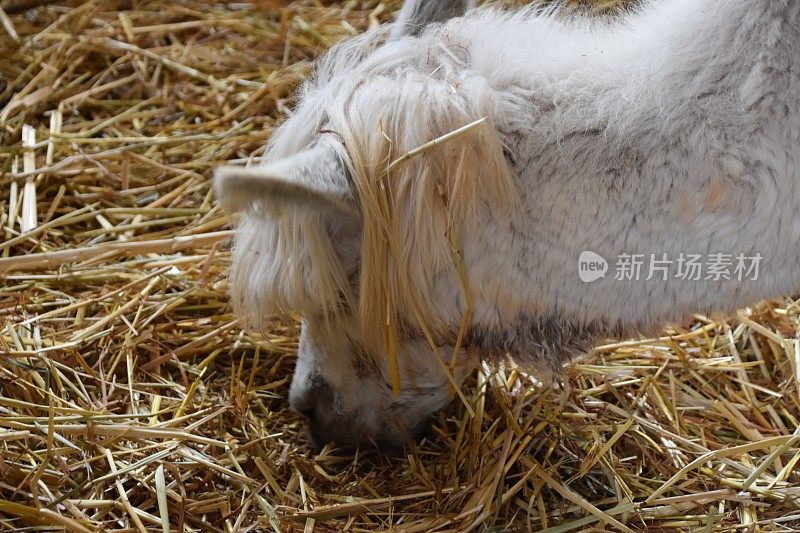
315	178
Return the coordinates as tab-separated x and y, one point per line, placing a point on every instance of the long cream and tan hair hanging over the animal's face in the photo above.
382	102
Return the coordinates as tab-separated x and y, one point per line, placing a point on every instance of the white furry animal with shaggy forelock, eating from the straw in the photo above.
674	129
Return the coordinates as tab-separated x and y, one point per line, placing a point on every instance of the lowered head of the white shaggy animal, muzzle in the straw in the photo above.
339	228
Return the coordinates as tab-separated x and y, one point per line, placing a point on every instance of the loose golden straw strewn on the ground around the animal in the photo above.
131	400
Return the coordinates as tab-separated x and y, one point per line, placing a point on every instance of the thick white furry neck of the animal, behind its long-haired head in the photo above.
684	143
